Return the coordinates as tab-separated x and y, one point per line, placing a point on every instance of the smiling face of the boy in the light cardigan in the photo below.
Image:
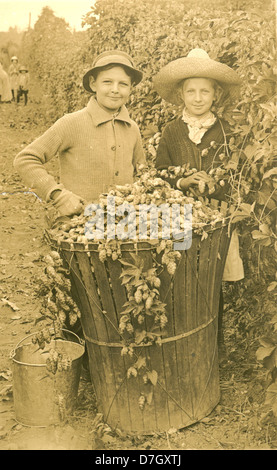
112	88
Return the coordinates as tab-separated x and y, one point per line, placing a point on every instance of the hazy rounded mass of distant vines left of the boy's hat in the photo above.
55	57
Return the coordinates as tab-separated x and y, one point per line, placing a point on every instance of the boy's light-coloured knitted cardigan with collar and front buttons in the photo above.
96	149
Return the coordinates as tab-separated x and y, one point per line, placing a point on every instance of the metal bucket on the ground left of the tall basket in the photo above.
42	398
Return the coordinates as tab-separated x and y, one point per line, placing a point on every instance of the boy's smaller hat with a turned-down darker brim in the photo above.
115	57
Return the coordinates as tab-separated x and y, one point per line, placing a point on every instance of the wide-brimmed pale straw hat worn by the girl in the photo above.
197	64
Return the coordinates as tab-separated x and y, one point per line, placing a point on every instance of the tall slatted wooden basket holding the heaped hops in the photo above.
187	388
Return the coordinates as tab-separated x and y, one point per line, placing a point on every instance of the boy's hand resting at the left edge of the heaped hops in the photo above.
67	203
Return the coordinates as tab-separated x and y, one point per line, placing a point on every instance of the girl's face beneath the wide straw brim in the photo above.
198	95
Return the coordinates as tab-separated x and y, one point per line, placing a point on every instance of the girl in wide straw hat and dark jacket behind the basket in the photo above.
198	83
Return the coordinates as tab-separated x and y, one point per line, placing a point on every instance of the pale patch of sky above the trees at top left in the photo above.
16	13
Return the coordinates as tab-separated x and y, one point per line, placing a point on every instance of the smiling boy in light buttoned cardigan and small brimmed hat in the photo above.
98	146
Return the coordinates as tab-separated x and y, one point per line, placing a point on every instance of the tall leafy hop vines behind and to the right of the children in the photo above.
241	34
